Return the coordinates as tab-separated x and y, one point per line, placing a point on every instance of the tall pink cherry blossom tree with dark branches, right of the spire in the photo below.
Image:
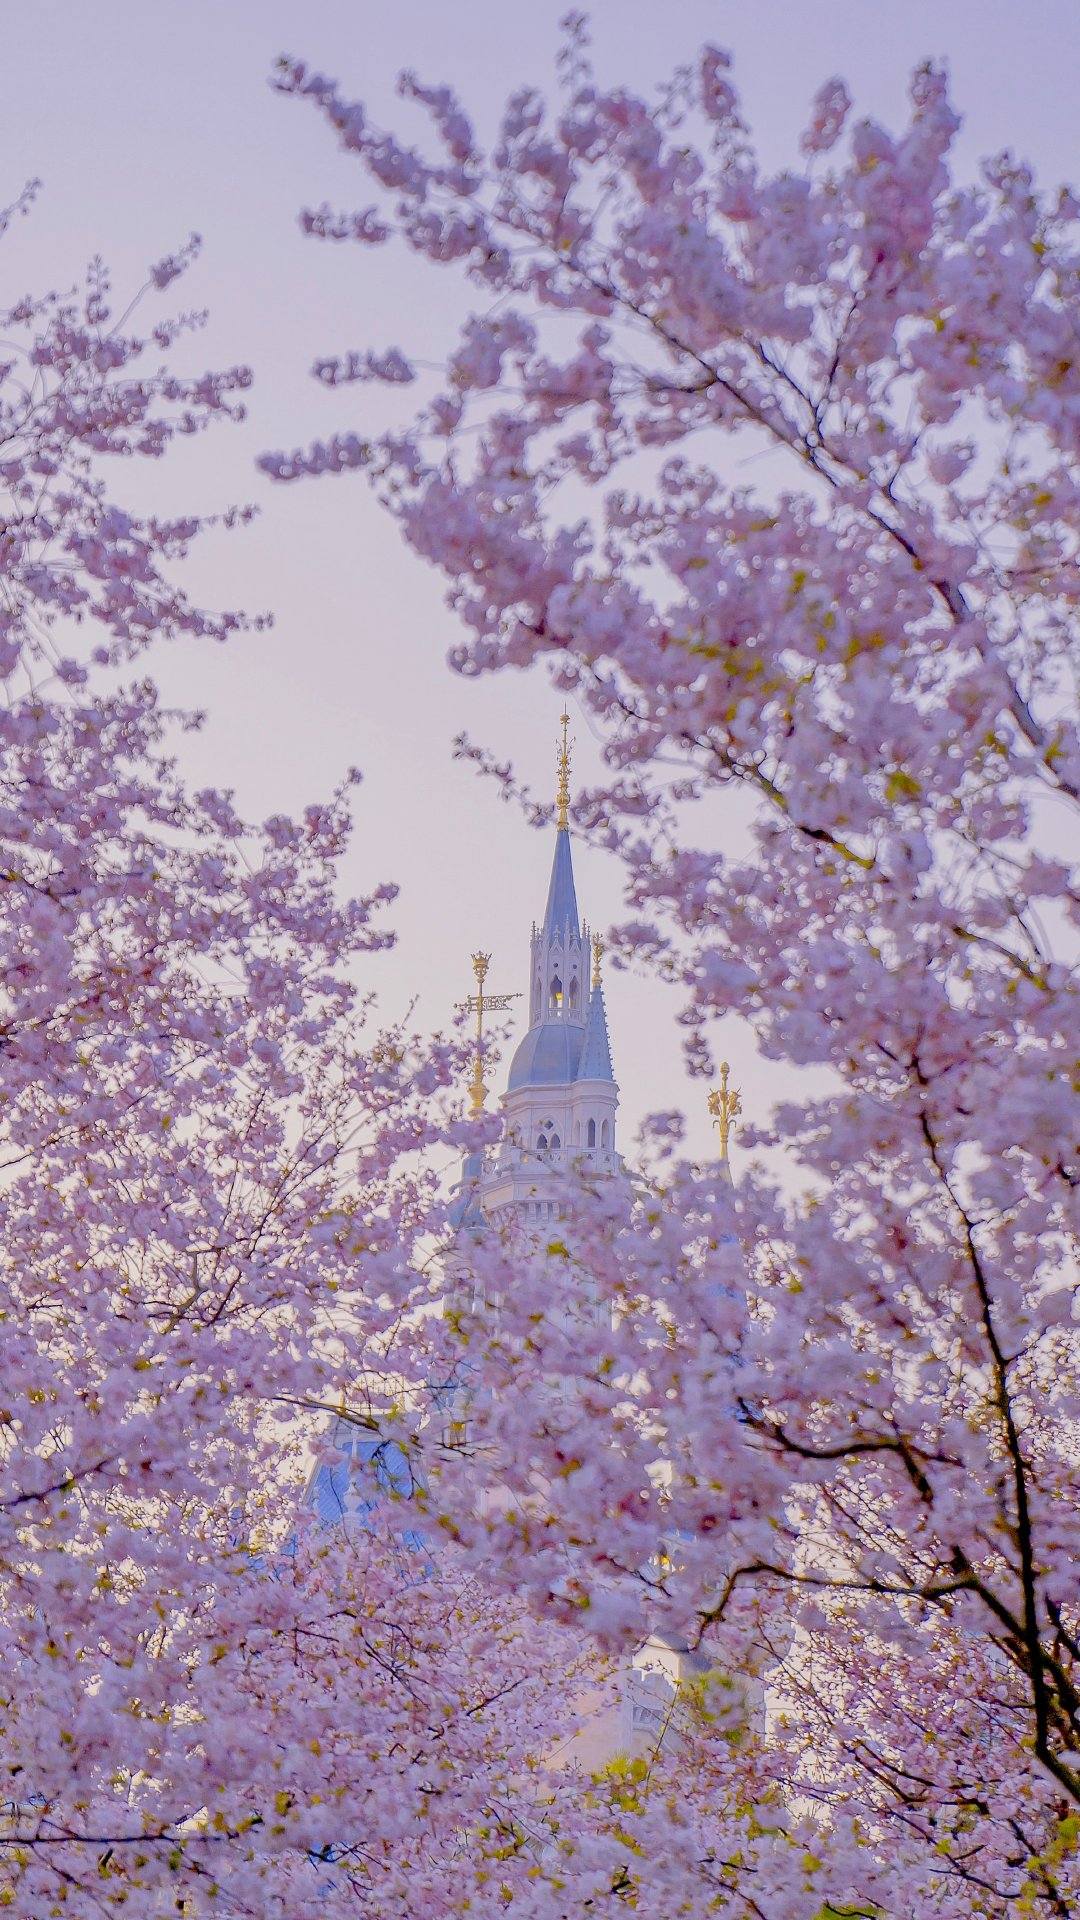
850	1406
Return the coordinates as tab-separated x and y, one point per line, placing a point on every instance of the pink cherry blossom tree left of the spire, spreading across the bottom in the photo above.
218	1226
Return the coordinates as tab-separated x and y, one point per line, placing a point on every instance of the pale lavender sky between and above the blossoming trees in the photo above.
153	118
